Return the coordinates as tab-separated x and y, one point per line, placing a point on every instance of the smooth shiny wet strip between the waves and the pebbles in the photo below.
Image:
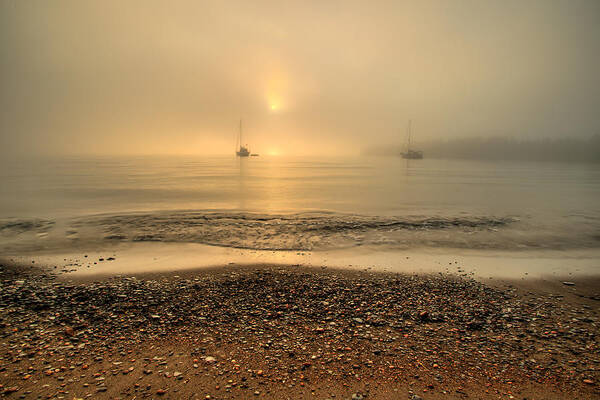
137	258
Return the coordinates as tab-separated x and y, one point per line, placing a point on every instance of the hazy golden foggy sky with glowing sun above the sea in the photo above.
97	77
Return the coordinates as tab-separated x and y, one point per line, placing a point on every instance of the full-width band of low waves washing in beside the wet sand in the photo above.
301	231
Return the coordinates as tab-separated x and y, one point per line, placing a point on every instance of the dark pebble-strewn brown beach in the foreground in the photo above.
291	332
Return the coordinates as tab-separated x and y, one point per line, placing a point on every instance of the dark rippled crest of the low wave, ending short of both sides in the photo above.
303	231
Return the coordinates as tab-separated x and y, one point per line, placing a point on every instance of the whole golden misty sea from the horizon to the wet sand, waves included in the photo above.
281	203
